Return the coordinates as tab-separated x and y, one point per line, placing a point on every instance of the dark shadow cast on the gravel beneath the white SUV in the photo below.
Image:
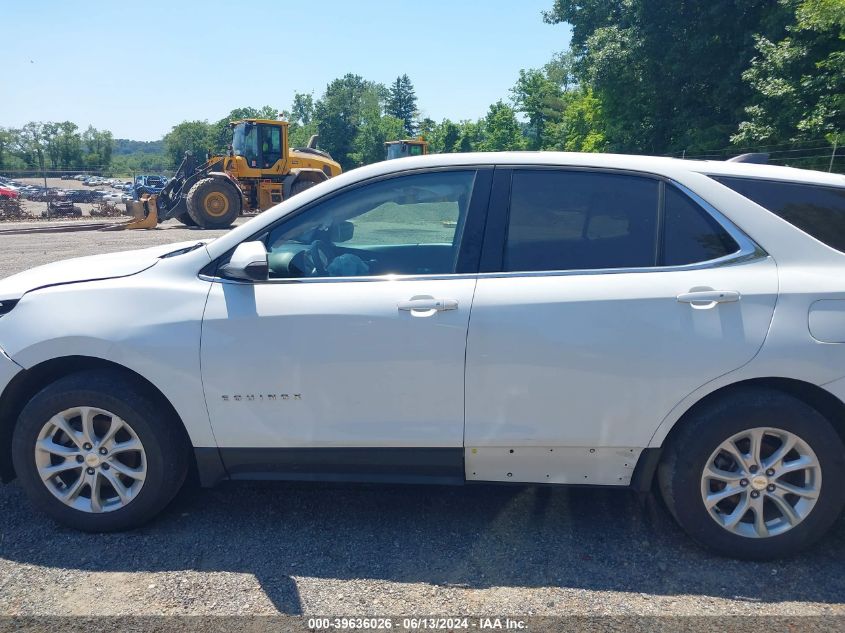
475	536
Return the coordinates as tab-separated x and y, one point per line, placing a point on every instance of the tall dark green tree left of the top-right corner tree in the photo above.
667	74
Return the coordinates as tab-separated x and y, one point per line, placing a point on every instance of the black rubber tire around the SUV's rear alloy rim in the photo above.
680	473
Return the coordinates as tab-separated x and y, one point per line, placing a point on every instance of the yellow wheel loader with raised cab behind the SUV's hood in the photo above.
259	171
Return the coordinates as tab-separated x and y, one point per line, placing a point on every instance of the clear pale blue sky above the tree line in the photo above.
137	68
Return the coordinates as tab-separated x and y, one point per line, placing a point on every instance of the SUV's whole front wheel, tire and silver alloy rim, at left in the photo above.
95	453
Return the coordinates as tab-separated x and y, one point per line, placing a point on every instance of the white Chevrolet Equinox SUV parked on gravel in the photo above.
534	318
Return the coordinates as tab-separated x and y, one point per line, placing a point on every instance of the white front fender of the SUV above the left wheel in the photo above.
150	328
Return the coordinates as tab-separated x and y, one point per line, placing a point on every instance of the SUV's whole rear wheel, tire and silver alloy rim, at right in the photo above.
757	475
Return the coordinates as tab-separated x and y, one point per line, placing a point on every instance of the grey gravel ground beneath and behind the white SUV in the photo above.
253	548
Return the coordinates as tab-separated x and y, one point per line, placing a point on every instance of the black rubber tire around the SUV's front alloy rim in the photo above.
163	439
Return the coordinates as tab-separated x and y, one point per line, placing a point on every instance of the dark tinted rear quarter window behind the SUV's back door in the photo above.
815	209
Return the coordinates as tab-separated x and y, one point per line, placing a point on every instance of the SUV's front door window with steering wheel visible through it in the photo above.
409	225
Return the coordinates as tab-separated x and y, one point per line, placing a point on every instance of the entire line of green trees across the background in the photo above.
679	77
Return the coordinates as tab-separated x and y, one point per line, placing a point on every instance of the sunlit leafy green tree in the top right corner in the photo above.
799	81
